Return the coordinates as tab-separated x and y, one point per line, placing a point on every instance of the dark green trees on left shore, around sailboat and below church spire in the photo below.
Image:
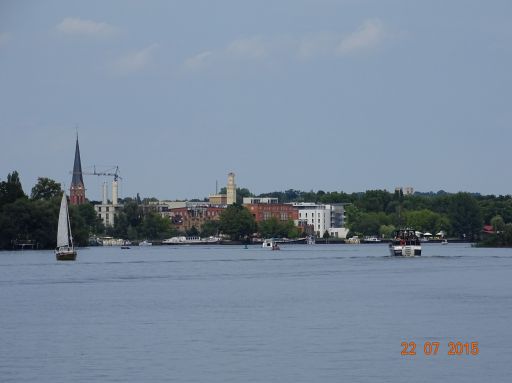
33	219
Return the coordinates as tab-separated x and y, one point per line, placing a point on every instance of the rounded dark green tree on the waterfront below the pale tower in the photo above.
237	222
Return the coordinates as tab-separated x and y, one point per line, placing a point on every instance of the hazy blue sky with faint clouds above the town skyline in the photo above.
333	95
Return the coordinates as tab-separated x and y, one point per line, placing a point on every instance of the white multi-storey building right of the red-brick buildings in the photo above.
322	218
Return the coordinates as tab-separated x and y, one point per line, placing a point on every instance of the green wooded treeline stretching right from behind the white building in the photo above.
379	212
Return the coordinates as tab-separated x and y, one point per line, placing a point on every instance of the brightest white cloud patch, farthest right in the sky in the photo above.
369	35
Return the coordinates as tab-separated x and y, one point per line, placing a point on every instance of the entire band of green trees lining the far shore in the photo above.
33	218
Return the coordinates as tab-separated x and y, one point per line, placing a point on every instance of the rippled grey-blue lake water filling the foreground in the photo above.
226	314
